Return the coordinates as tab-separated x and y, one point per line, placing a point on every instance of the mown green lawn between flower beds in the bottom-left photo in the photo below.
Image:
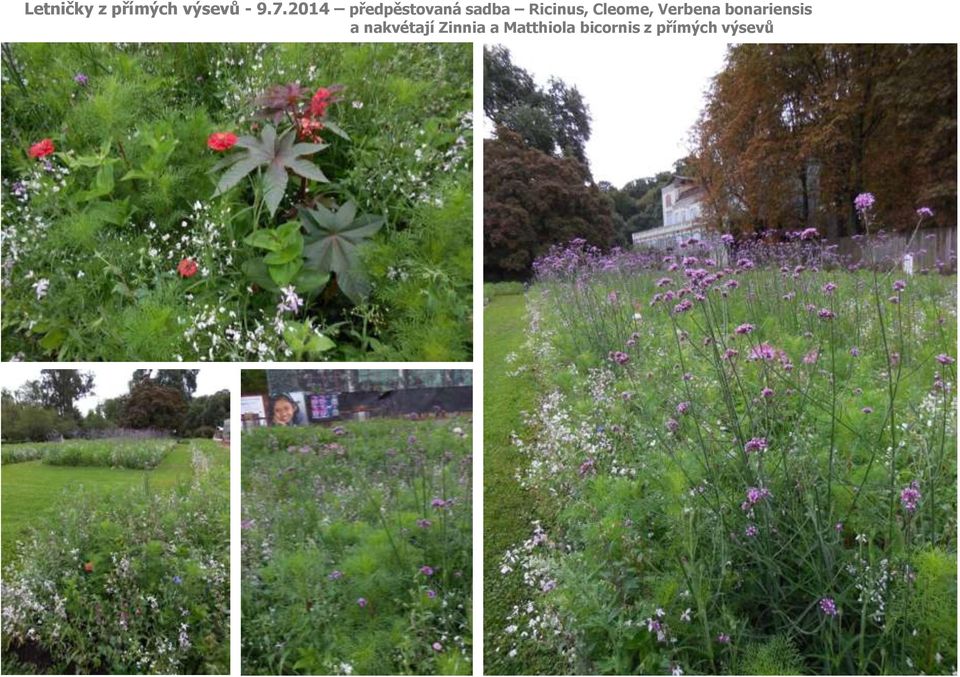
32	489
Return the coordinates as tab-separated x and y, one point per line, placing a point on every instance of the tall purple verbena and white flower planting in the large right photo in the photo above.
742	459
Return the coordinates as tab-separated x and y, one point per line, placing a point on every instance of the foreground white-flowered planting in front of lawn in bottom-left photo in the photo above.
135	582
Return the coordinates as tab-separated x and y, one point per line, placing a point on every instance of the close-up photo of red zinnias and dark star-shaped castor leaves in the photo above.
237	202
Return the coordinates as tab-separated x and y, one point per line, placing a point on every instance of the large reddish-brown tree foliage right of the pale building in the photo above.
791	134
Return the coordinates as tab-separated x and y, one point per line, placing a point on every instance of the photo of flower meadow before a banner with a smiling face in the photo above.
356	522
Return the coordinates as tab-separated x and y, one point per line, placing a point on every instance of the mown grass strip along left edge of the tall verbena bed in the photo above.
507	509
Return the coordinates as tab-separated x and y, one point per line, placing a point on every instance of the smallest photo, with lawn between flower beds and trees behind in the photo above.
115	522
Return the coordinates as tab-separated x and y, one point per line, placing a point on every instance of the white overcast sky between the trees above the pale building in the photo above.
644	98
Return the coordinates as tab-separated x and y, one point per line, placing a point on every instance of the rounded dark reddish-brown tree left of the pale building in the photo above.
533	200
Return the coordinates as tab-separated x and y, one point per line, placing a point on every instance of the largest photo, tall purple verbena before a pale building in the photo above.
720	416
